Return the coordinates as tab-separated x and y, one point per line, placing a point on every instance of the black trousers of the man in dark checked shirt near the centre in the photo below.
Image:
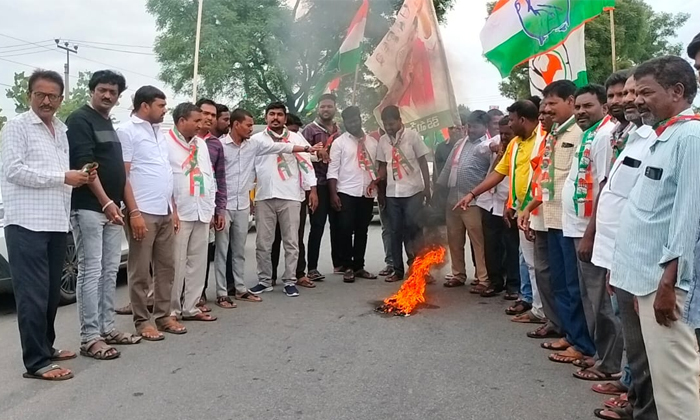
317	221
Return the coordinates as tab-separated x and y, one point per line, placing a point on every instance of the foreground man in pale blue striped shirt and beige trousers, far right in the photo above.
654	247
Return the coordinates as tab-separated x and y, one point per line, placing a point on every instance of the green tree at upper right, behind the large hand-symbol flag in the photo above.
640	34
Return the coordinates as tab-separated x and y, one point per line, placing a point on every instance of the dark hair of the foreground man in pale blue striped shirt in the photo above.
669	71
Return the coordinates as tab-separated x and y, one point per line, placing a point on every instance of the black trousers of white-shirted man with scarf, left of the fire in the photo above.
353	220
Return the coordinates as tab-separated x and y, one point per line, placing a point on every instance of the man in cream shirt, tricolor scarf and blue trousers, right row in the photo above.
554	164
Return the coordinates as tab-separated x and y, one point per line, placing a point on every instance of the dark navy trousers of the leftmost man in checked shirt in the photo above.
36	263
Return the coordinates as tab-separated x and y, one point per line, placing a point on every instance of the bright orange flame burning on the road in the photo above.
412	291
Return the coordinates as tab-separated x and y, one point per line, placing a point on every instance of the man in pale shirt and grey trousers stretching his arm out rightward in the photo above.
240	152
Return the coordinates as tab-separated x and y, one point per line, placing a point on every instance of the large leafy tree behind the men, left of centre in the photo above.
253	52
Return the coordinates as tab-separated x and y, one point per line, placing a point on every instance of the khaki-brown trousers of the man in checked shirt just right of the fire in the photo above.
460	224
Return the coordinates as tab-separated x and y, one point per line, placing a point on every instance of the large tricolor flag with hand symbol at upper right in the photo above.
518	30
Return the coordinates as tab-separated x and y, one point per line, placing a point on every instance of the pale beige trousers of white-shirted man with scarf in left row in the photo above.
191	246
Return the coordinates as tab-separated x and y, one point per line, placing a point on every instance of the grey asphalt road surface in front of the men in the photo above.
324	355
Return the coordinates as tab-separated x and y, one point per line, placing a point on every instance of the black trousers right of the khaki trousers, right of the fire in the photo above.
501	246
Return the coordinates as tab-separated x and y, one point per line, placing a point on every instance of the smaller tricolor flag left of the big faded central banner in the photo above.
346	60
